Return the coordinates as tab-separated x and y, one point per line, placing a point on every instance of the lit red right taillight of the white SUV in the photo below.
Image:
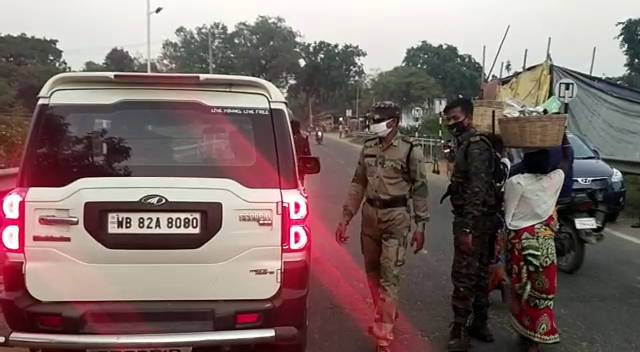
295	226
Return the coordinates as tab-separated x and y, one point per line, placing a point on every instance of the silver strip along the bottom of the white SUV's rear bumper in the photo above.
198	339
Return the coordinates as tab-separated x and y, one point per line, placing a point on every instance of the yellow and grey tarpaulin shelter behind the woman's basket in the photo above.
605	113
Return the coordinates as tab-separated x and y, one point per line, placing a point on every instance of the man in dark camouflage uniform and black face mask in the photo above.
474	202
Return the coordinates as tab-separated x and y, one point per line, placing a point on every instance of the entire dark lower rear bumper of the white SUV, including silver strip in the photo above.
196	323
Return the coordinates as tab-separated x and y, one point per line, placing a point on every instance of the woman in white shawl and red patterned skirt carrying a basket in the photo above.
530	201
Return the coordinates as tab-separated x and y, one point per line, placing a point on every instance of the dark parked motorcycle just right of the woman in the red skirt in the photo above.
581	221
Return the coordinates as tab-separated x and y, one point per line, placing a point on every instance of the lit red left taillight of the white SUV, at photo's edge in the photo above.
12	221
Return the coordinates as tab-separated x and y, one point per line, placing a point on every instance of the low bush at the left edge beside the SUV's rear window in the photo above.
13	131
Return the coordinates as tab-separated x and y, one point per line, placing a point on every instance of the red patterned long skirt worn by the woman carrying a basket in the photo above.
533	269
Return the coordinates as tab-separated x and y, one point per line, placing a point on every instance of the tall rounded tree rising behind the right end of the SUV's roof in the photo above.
267	48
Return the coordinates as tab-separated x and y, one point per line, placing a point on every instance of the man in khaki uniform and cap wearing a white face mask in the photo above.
390	172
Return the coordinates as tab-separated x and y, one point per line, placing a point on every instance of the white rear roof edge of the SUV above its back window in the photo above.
161	78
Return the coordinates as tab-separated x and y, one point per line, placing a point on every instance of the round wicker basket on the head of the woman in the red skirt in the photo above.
533	131
